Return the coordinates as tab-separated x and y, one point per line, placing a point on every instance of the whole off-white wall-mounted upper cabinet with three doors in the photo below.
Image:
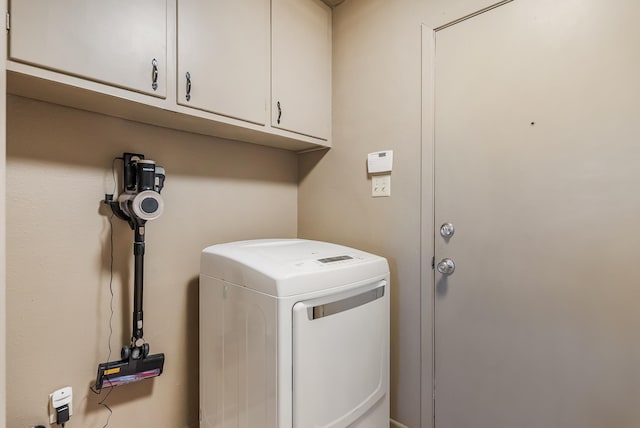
249	70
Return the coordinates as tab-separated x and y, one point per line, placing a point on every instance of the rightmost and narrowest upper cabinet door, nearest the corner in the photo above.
301	67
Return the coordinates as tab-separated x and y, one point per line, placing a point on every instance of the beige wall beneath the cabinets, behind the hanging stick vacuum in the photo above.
58	169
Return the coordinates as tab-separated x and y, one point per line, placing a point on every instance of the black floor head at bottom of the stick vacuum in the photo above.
116	373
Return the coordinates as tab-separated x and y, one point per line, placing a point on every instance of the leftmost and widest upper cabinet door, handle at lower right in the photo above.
118	42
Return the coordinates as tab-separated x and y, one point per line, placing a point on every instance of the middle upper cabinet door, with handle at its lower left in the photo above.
224	47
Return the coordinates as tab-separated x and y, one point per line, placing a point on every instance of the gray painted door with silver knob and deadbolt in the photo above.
537	165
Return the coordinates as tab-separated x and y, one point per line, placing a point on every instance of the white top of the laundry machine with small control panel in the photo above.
287	267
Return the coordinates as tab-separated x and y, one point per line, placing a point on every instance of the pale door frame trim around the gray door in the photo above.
427	215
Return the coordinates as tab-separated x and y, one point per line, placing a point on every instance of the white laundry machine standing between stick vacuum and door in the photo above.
293	334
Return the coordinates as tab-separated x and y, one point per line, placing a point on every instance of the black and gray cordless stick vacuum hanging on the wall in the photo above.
139	202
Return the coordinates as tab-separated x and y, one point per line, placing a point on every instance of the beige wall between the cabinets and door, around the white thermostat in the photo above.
376	106
